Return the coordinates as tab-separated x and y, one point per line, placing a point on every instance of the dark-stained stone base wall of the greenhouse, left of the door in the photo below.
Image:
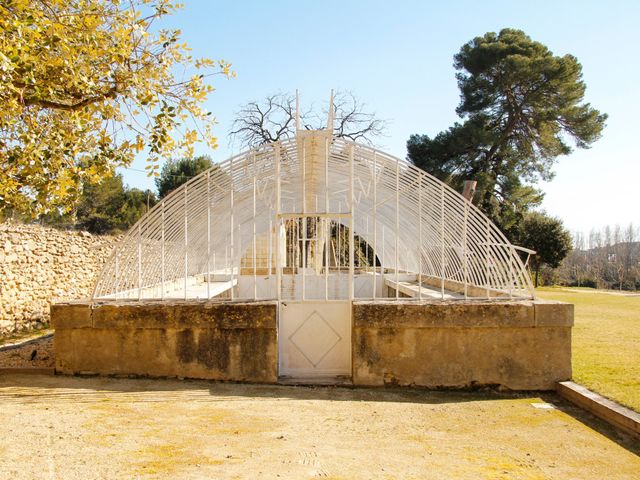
218	341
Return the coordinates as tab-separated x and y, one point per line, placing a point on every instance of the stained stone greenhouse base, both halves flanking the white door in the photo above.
521	345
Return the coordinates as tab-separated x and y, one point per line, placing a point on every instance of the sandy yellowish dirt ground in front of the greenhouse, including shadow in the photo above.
87	428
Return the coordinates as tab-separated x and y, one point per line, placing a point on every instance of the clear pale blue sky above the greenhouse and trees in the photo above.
397	56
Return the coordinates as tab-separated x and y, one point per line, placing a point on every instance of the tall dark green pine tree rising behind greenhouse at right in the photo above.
520	105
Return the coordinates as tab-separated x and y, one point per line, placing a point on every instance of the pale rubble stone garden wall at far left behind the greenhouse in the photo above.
39	264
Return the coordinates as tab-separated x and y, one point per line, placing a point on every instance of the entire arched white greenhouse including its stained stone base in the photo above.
317	260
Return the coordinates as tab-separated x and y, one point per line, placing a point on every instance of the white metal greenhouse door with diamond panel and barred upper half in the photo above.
315	285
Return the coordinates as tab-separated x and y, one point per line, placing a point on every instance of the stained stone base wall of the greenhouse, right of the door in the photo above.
518	345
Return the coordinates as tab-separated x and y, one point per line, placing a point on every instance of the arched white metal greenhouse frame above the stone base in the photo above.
314	218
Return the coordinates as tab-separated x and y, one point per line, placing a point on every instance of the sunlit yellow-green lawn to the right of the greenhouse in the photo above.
606	342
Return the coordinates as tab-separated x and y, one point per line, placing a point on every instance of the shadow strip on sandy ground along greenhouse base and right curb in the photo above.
51	389
